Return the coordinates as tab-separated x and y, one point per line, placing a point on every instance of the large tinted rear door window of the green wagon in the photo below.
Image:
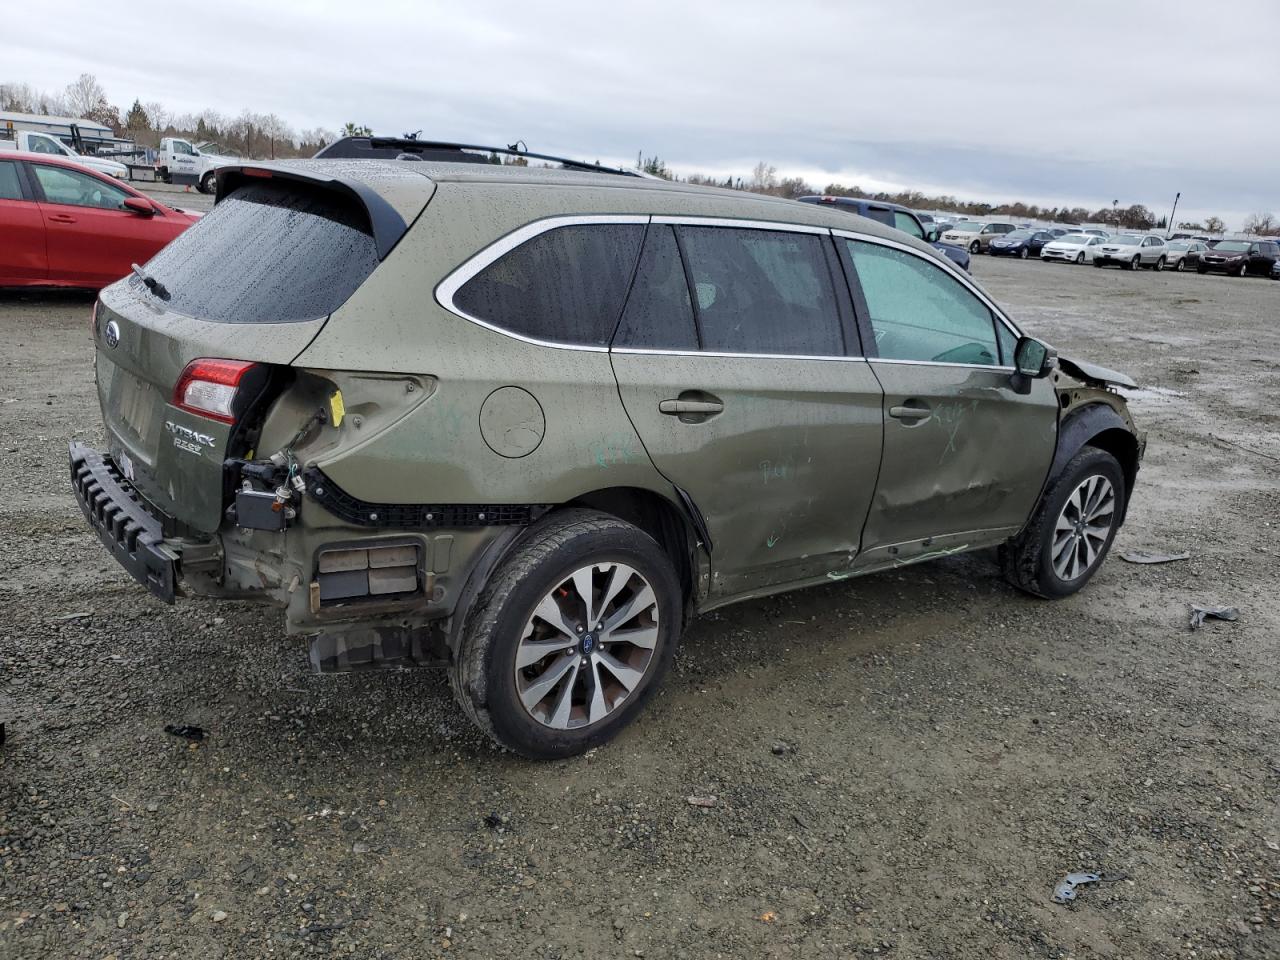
762	291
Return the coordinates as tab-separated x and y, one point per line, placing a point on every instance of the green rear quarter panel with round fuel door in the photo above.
437	452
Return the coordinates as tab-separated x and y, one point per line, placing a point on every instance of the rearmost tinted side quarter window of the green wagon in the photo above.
564	286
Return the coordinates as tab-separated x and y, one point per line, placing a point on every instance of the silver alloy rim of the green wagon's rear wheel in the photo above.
587	647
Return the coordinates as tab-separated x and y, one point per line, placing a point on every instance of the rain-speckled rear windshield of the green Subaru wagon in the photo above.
269	254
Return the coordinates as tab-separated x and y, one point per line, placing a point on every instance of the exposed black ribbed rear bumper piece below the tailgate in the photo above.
125	527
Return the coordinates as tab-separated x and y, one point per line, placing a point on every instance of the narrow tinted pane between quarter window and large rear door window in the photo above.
660	314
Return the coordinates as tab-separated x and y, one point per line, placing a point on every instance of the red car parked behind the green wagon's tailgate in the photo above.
67	226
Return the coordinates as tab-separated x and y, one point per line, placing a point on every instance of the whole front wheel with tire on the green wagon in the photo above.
1072	531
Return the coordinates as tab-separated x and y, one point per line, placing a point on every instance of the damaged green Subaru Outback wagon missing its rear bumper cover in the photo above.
528	423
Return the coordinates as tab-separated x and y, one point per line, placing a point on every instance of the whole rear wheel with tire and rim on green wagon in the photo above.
570	638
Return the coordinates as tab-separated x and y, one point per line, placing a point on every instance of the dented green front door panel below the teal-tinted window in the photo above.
970	473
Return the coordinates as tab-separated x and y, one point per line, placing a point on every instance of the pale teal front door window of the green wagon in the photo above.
921	313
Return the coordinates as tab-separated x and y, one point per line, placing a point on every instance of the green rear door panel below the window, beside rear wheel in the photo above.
784	476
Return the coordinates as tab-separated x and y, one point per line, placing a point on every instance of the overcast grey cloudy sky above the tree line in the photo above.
996	100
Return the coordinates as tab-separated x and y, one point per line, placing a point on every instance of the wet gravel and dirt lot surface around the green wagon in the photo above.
902	766
